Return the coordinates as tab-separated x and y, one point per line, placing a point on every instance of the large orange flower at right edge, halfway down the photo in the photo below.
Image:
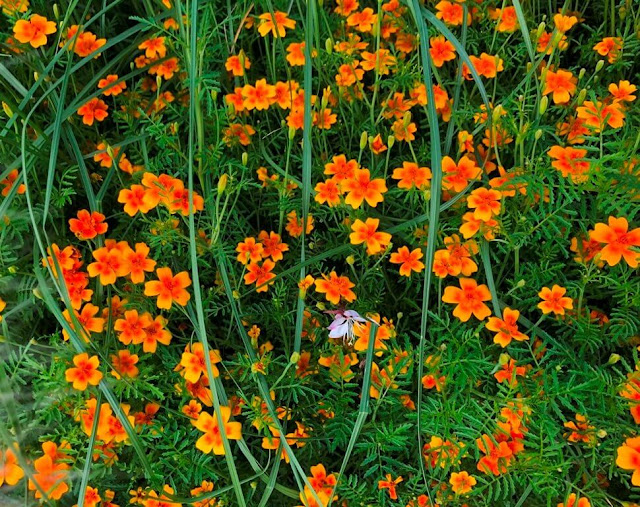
619	241
